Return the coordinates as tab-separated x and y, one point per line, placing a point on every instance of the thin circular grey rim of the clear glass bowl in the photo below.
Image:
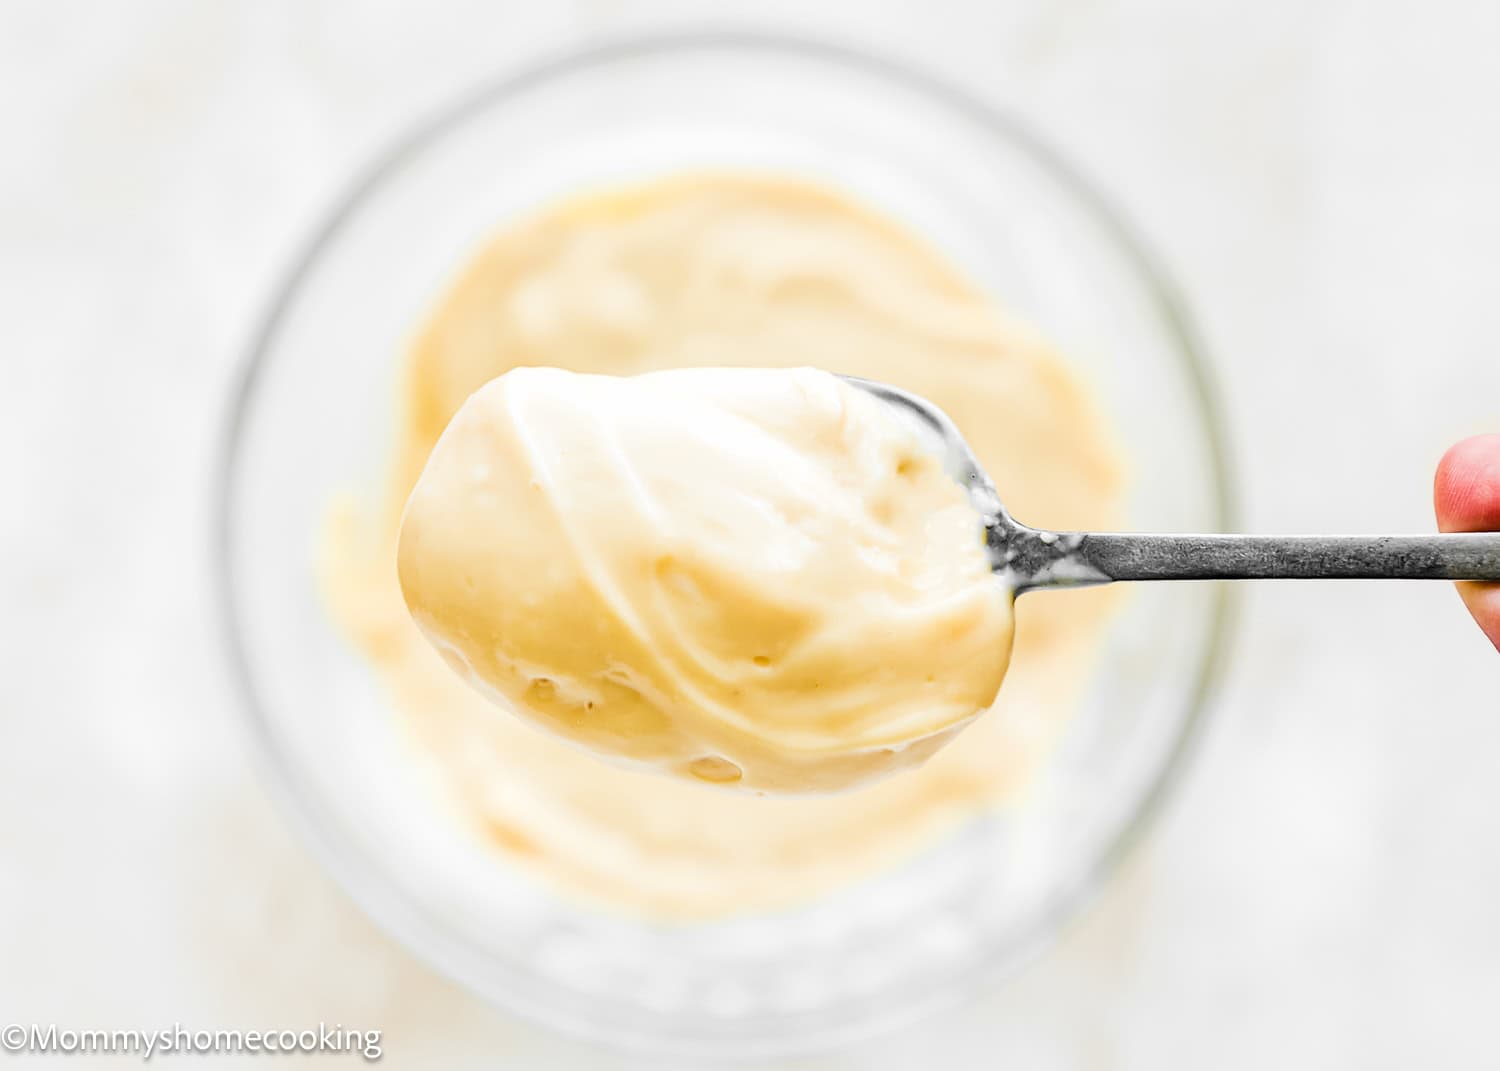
361	883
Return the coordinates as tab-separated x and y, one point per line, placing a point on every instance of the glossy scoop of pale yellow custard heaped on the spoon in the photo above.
745	577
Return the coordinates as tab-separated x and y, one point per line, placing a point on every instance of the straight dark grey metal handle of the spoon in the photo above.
1157	557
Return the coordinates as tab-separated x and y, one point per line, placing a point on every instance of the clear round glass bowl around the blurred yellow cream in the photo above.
314	418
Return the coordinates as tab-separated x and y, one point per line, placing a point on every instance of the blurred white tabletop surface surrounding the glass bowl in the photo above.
1324	179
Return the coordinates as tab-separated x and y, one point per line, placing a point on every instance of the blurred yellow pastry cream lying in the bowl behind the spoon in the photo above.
728	271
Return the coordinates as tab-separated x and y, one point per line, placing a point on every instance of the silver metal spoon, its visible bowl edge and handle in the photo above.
1037	559
